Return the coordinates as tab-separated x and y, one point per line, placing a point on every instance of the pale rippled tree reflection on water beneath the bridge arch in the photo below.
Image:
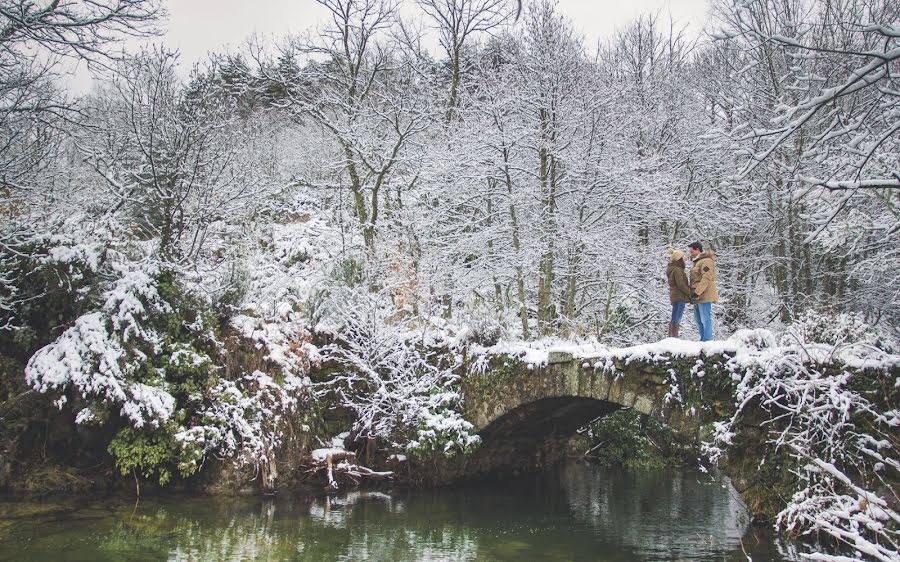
657	513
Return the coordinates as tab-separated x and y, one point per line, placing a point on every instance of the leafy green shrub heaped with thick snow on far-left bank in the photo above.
131	363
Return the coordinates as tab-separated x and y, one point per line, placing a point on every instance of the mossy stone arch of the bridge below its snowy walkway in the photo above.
526	413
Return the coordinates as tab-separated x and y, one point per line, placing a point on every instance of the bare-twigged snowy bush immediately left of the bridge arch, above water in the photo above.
399	391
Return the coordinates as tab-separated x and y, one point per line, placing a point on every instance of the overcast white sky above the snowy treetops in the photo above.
199	27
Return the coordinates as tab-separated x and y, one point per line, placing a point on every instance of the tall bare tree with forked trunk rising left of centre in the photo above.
364	95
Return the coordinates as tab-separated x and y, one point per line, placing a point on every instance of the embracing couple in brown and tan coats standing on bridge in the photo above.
700	291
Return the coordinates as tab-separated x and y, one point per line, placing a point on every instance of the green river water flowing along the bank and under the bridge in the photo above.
573	512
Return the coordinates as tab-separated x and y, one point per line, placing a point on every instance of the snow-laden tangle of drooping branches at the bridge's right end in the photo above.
838	427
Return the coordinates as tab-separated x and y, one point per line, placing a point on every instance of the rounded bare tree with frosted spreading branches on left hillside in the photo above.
175	160
